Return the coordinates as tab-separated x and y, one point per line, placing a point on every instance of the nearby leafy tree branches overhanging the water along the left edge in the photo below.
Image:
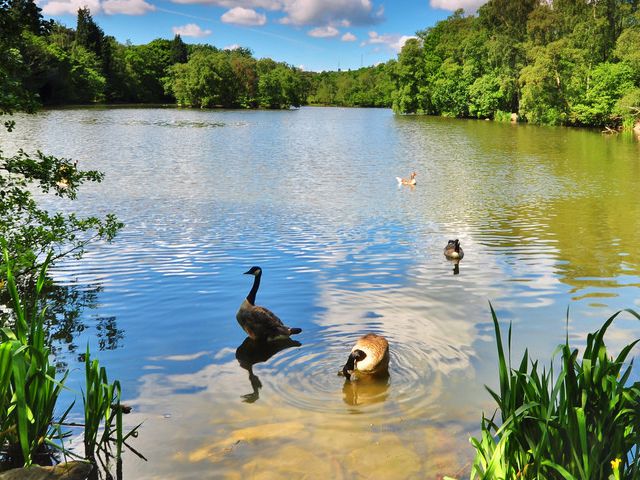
28	230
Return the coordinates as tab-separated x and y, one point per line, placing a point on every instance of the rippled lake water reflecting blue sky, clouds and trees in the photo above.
549	219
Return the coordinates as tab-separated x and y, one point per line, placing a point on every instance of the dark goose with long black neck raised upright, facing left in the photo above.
260	323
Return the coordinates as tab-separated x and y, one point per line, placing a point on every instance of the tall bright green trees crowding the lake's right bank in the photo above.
573	62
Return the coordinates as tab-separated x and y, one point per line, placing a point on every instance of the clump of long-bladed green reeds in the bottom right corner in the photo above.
581	423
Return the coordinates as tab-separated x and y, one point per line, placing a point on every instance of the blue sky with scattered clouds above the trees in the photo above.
312	34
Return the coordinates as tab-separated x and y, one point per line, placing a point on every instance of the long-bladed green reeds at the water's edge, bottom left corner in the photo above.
29	389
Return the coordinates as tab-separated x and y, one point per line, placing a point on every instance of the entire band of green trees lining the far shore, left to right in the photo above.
557	62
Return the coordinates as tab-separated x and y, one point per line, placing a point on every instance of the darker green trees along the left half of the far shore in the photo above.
54	64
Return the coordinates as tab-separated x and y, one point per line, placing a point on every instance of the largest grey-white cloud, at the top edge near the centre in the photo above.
330	12
